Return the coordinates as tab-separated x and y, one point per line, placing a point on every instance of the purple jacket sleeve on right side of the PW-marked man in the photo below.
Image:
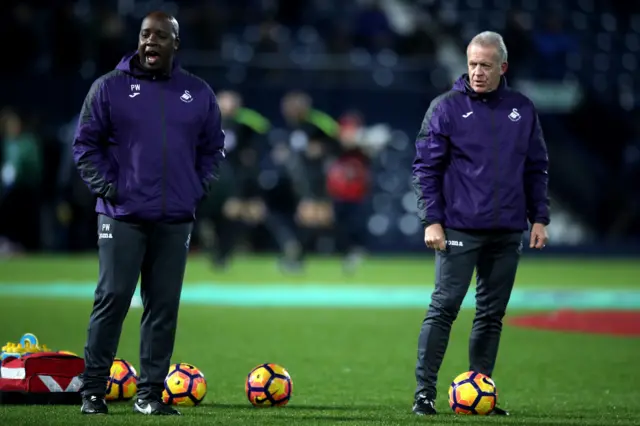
211	147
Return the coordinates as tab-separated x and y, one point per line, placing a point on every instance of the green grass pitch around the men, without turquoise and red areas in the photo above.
349	365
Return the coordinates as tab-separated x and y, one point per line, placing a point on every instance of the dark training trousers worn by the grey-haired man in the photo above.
494	256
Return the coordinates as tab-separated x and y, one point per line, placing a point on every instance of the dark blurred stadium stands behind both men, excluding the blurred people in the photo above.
578	60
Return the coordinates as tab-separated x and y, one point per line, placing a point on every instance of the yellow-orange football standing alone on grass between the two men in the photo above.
268	385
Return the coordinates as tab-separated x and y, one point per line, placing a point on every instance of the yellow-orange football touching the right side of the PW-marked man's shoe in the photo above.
185	385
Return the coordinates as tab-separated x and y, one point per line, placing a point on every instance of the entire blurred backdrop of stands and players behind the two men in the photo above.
322	100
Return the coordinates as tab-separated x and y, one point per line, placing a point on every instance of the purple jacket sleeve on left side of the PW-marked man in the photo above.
90	142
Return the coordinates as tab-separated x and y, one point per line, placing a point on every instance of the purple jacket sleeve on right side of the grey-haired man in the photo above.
536	176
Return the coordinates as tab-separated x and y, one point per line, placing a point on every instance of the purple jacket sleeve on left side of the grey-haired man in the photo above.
432	147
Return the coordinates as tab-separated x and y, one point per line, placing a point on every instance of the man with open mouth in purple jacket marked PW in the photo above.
148	144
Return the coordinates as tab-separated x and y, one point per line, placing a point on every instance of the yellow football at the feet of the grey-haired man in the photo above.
472	393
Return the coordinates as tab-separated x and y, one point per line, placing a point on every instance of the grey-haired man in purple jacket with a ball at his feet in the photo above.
480	174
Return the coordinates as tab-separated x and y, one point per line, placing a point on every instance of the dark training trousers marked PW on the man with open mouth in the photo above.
157	253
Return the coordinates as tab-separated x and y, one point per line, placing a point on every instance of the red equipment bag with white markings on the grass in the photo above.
41	378
